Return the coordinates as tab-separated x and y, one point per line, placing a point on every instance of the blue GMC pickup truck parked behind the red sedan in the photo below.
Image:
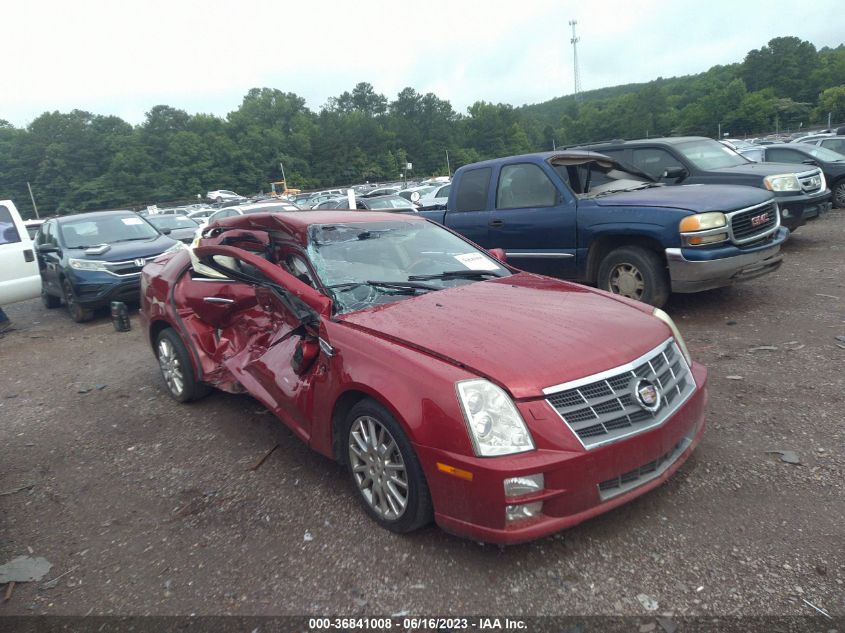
582	216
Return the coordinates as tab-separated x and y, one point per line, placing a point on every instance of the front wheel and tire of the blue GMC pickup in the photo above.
636	273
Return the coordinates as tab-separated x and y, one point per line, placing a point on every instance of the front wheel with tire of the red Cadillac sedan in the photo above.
385	470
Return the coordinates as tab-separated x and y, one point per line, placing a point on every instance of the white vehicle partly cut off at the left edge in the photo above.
19	276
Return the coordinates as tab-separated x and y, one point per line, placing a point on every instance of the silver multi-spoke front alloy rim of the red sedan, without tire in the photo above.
378	468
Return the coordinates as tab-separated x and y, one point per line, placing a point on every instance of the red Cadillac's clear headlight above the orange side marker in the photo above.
494	424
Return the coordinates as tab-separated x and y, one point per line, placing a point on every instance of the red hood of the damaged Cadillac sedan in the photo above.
525	332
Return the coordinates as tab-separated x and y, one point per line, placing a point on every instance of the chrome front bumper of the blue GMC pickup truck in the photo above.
693	270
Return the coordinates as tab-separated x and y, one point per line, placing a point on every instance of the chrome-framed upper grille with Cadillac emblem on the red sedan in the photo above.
605	407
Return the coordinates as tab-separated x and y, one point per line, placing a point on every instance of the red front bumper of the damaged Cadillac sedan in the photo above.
476	509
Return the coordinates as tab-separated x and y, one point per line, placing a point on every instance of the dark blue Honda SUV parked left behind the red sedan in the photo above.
91	259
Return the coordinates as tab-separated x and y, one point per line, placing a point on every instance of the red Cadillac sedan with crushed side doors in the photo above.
503	405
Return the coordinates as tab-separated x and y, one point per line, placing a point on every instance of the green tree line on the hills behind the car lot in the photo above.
81	161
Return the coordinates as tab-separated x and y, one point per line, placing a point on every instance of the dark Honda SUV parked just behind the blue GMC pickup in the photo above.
800	191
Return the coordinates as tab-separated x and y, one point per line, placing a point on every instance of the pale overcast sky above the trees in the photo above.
123	58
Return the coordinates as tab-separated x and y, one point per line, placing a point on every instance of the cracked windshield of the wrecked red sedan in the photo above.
363	264
